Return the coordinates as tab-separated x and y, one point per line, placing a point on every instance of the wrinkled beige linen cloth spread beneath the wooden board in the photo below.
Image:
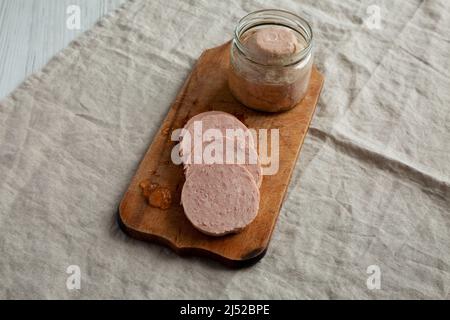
371	187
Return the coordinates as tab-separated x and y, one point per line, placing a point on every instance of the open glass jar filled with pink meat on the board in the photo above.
270	76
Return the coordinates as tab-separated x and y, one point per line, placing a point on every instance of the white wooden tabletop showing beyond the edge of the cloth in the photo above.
32	31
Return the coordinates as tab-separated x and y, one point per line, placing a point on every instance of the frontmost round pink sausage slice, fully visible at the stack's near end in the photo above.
220	199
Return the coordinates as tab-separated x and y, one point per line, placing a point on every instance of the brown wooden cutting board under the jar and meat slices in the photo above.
206	89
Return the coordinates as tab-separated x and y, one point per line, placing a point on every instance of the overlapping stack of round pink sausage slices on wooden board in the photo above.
223	173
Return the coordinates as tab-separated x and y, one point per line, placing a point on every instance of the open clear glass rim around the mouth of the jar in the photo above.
275	17
